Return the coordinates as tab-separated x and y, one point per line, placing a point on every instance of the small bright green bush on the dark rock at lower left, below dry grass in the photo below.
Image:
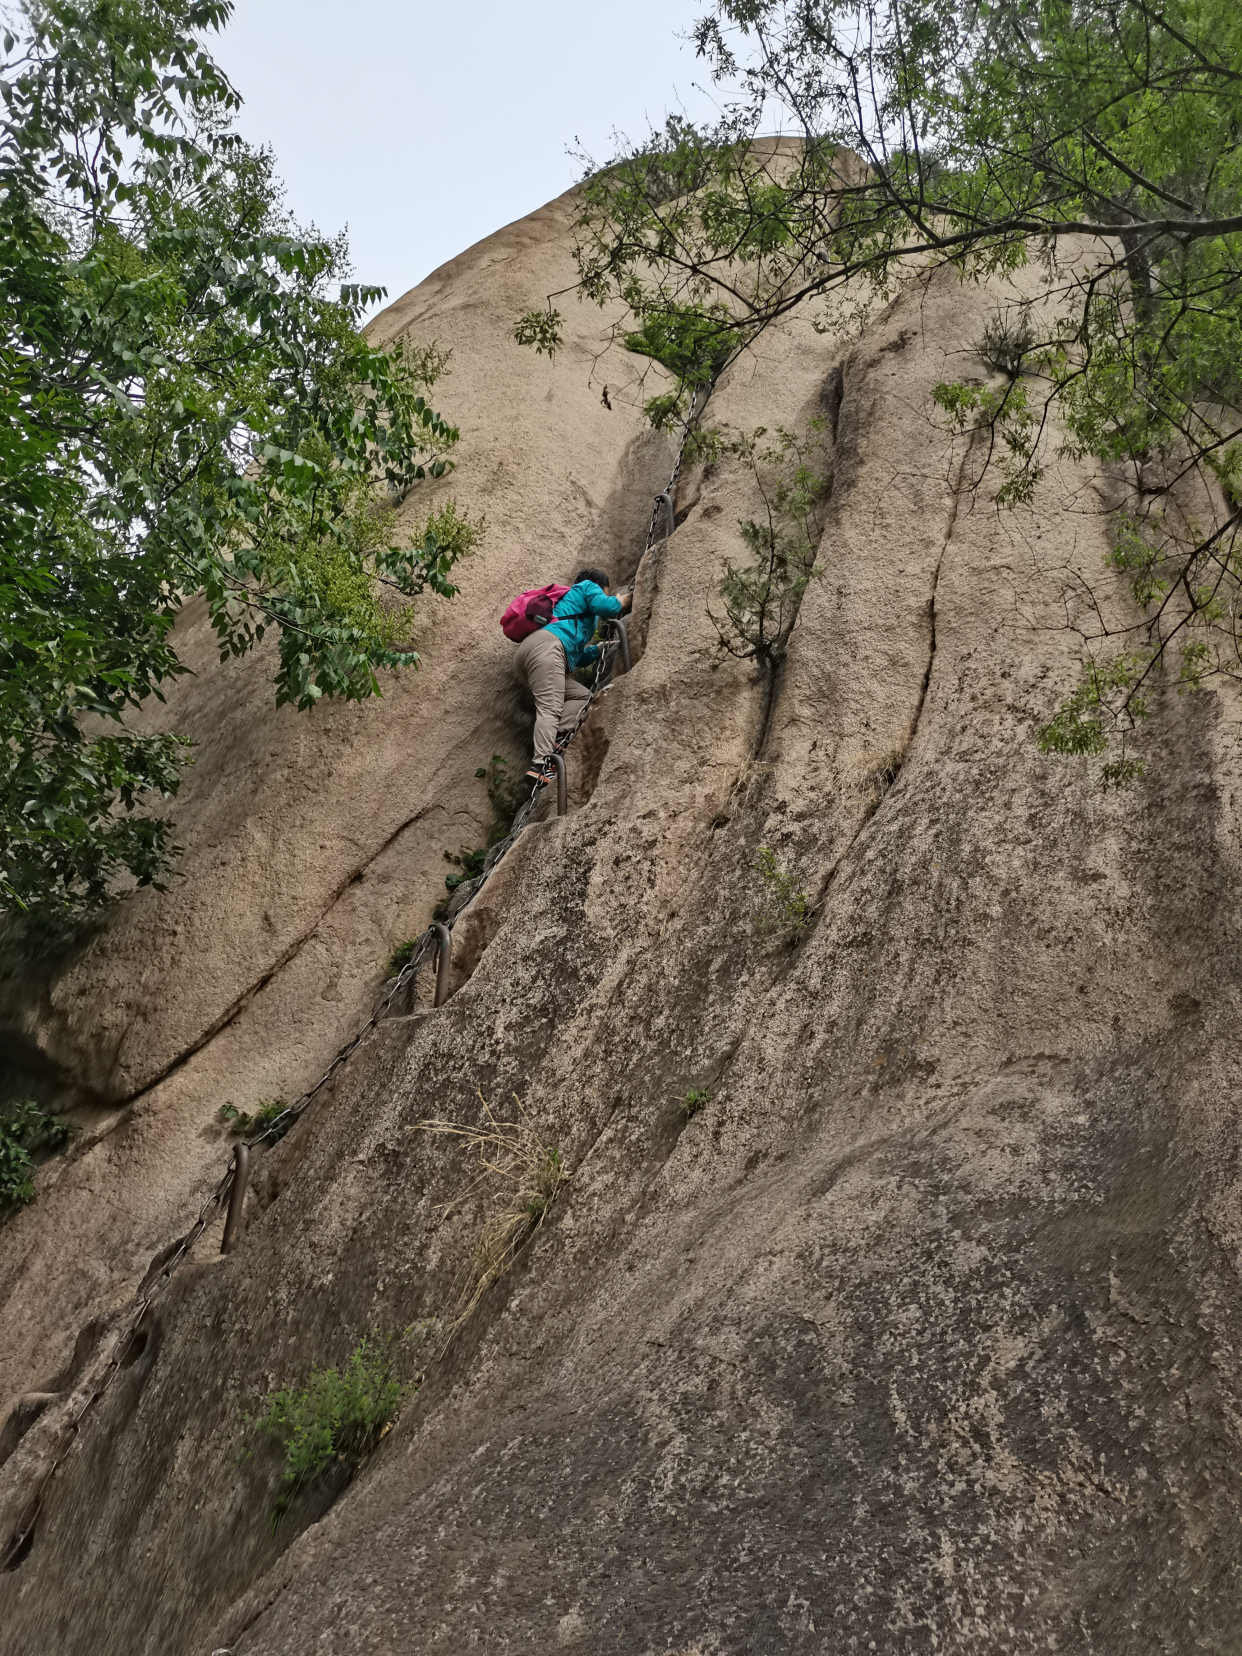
339	1415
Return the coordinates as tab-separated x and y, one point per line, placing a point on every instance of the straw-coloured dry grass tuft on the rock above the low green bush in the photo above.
524	1177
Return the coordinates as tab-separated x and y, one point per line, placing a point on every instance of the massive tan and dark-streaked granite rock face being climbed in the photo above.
922	1336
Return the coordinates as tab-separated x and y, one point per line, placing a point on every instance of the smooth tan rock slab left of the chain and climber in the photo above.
314	844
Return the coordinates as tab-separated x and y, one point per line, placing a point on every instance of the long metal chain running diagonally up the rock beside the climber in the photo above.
292	1114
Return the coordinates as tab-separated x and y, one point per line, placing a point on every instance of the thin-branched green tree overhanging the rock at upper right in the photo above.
980	135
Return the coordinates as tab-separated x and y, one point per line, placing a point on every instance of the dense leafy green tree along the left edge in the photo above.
186	408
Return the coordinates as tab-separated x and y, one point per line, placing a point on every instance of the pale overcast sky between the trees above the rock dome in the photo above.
426	127
